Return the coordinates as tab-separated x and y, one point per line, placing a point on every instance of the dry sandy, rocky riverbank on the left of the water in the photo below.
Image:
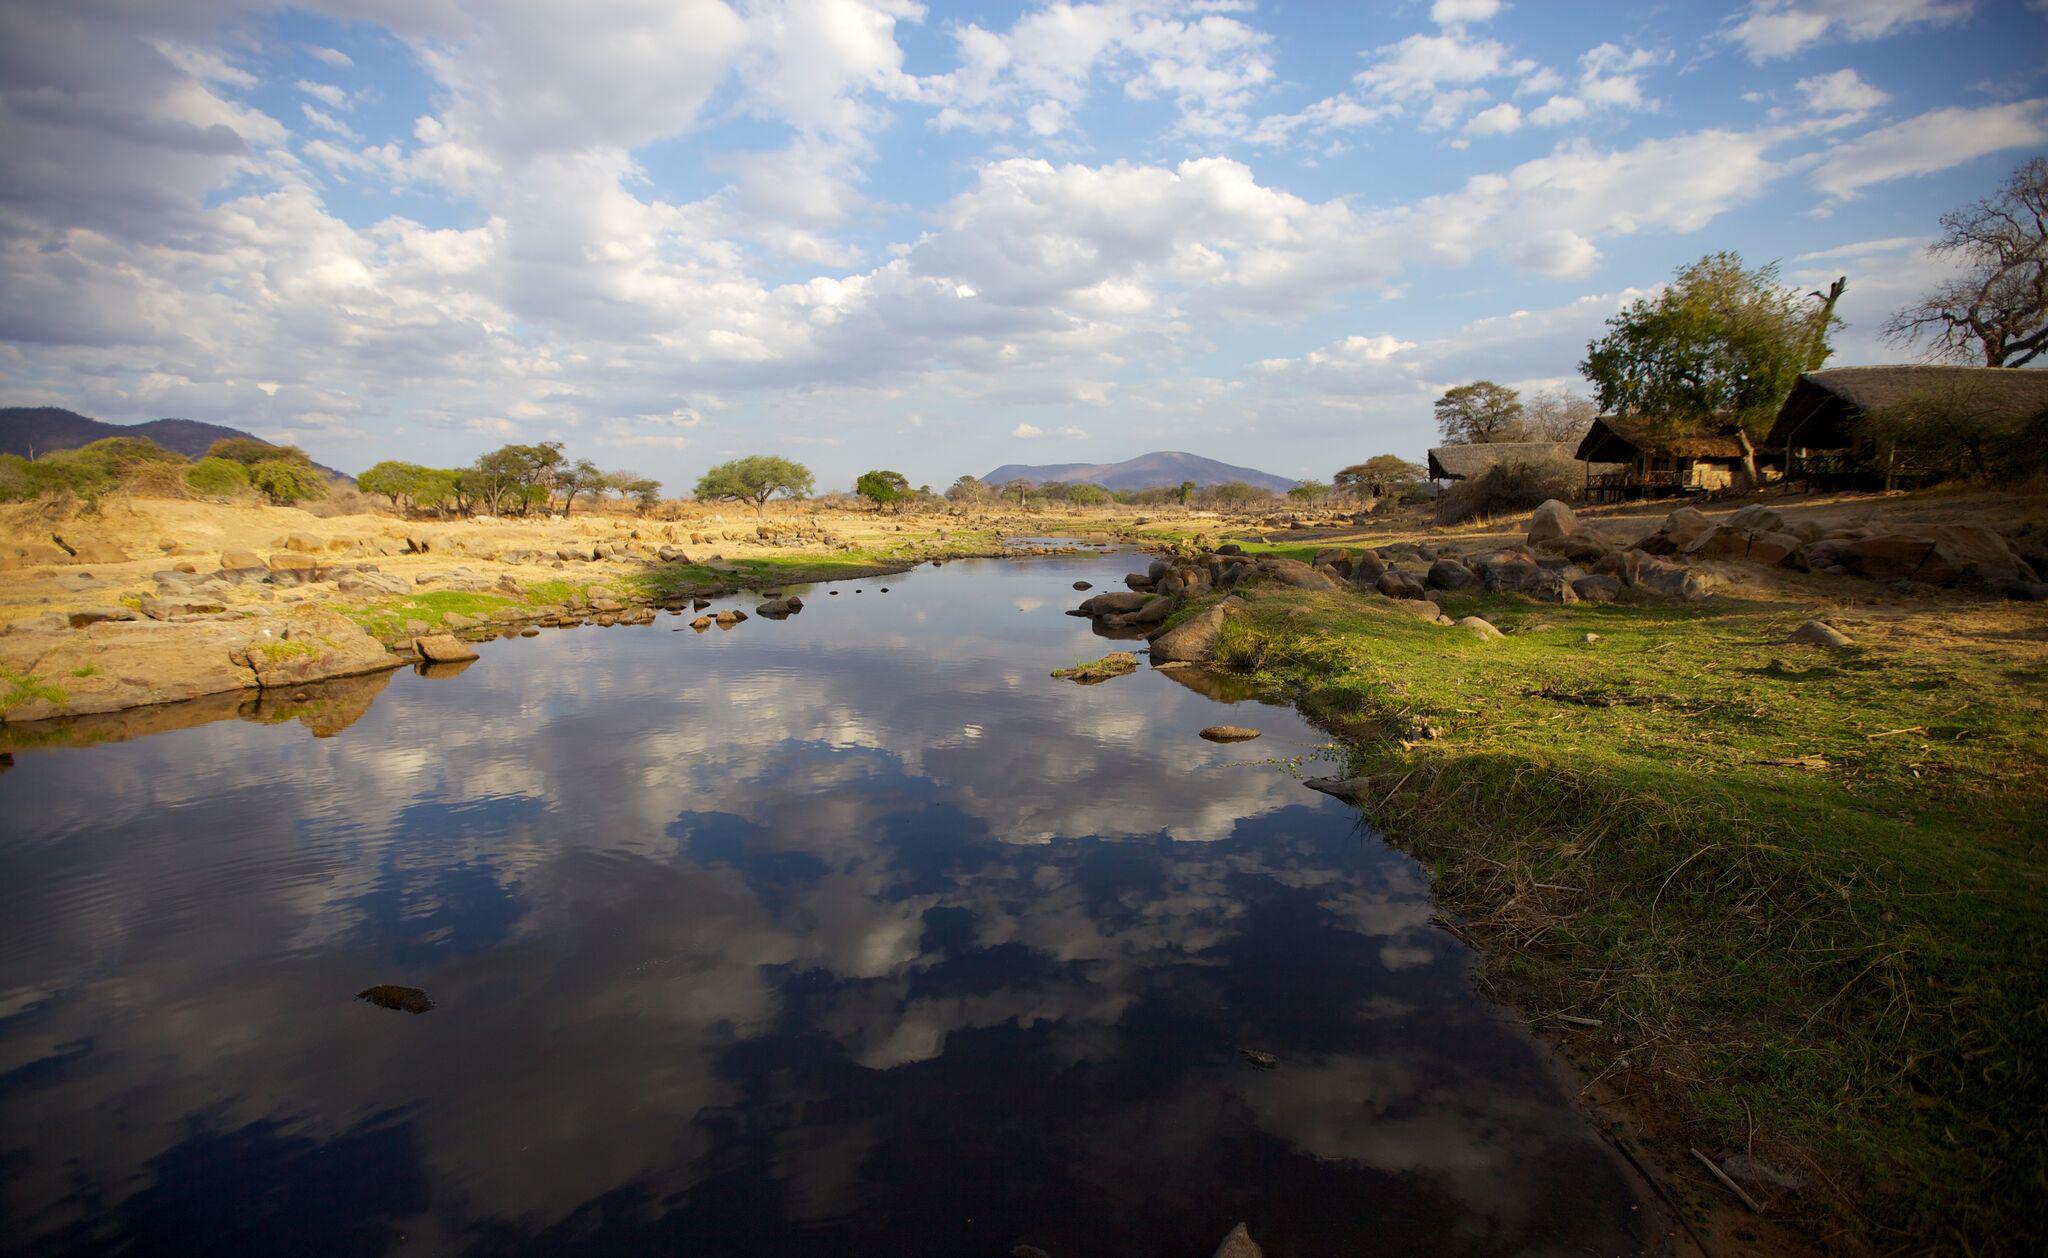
142	603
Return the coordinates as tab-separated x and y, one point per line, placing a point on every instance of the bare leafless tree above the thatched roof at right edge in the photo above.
1998	304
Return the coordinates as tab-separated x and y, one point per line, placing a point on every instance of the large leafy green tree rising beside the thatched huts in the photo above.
1719	345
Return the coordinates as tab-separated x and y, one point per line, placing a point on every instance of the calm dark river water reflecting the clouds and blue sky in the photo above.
843	935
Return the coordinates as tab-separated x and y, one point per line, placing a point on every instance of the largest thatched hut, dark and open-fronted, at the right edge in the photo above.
1822	423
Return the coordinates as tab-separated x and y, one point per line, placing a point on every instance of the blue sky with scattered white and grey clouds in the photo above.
943	237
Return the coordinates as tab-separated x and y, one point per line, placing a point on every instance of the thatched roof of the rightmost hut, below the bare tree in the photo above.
1826	407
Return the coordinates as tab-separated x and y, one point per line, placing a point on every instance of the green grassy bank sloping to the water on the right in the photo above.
1787	900
